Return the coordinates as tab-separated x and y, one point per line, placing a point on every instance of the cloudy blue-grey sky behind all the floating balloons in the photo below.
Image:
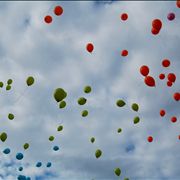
55	55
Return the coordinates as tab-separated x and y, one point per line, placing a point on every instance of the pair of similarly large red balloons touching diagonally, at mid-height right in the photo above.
148	80
